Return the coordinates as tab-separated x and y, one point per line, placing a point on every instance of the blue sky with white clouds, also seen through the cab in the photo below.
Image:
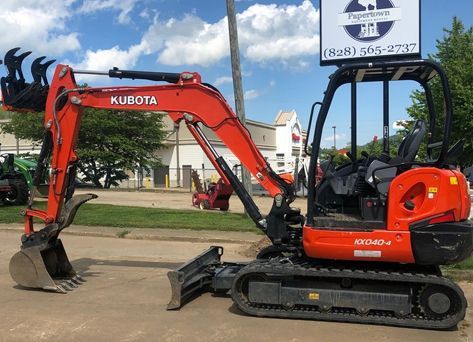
279	48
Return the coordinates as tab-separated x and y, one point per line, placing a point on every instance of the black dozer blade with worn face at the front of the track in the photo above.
193	276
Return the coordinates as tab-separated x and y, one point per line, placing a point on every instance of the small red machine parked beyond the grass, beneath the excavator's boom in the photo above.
214	196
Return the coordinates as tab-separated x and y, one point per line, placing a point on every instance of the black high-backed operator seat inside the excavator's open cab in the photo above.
406	153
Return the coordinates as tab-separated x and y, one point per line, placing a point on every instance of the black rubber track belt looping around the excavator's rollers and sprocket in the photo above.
276	268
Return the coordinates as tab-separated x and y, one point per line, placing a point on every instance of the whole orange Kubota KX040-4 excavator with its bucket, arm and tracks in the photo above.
368	249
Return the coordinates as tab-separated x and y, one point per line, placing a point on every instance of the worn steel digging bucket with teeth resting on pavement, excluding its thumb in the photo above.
45	266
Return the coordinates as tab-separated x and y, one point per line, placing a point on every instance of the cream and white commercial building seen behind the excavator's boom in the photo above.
280	143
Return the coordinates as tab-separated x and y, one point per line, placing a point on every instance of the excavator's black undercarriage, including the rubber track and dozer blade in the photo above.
300	287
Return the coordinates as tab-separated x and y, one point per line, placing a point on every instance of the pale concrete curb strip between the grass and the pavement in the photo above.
182	235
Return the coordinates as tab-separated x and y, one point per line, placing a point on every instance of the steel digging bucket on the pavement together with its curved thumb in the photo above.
42	261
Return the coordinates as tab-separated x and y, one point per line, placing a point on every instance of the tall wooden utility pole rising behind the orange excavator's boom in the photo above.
237	83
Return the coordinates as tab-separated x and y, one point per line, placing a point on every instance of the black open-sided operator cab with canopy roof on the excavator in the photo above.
355	194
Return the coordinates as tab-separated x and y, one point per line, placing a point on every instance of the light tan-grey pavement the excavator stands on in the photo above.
126	293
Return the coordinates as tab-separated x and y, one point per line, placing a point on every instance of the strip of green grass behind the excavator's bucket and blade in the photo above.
134	217
